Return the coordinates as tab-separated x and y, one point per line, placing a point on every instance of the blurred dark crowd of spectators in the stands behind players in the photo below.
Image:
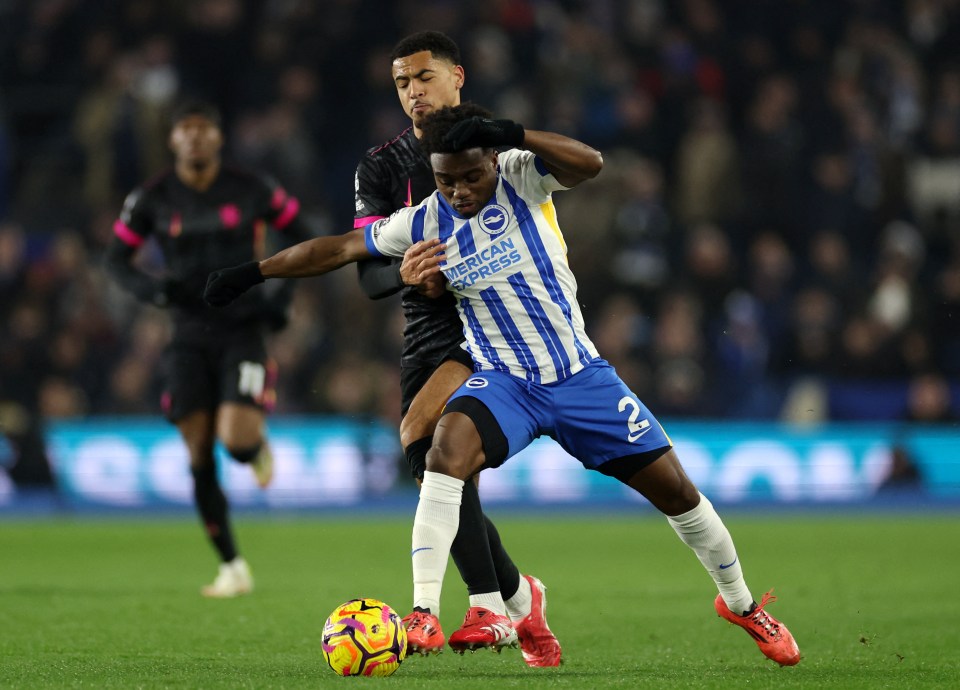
775	234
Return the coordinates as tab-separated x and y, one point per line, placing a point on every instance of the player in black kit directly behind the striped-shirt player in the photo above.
428	76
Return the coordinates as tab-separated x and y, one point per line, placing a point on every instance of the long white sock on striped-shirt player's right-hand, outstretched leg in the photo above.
703	531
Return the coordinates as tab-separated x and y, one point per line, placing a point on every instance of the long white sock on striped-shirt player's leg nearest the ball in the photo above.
434	527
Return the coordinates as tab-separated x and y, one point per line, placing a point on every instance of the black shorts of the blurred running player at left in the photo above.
231	367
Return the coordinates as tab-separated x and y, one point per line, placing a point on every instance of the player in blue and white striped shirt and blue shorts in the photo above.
492	230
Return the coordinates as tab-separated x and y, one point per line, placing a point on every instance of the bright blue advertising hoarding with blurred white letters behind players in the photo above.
328	462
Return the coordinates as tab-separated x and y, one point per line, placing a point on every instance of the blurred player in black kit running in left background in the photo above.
218	378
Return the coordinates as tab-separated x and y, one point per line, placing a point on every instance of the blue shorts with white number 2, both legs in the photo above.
592	414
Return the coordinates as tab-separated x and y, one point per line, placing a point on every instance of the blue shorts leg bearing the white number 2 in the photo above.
598	419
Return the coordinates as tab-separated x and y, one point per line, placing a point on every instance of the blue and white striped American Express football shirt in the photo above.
507	267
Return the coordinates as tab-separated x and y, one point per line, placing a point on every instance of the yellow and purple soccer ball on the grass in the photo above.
364	637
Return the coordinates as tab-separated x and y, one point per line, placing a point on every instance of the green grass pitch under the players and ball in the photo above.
872	602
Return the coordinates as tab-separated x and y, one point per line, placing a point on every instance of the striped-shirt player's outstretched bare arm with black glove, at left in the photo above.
311	258
